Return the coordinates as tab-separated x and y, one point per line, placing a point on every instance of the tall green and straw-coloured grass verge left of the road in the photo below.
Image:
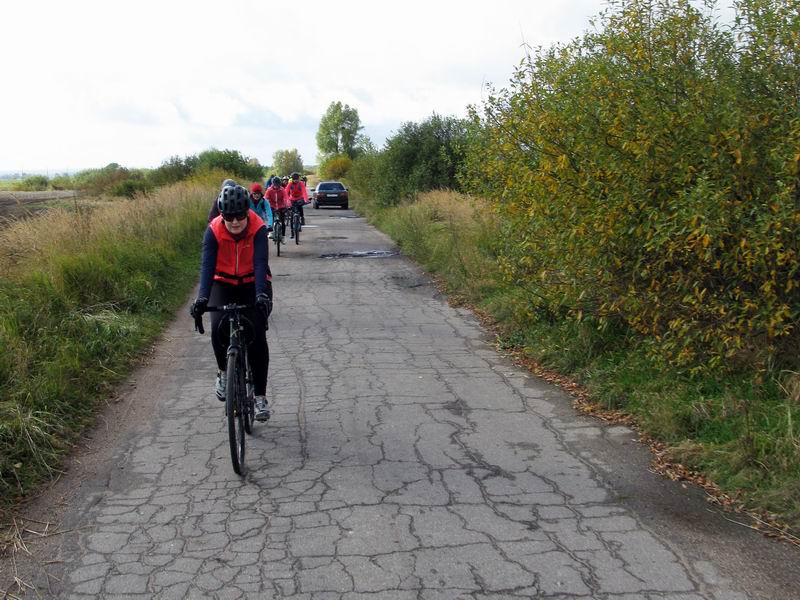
83	291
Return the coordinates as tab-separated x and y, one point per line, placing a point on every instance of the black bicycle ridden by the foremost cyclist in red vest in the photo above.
239	395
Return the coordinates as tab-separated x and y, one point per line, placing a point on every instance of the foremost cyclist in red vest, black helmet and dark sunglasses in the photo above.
235	269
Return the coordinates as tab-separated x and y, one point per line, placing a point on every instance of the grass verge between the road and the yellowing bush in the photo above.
739	429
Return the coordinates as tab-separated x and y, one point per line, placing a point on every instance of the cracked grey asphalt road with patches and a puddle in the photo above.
405	458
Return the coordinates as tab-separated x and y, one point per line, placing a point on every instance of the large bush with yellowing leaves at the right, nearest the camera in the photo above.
647	176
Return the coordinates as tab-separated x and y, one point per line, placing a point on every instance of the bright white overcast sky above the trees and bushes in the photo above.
86	83
